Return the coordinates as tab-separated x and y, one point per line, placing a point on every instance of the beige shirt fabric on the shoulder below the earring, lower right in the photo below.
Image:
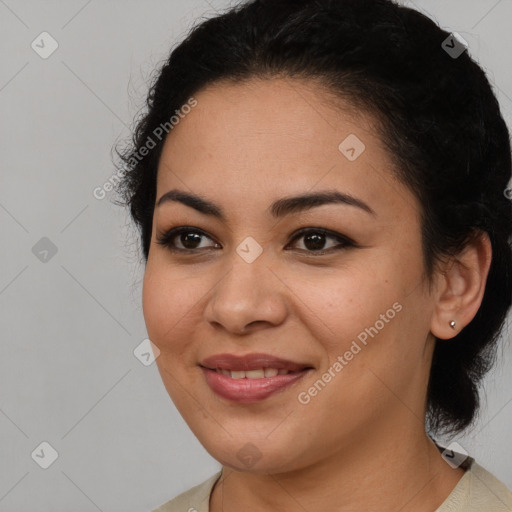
478	491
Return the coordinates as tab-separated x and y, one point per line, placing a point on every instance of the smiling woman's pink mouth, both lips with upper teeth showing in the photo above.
250	378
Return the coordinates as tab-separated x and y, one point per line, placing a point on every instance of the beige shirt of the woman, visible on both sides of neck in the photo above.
477	491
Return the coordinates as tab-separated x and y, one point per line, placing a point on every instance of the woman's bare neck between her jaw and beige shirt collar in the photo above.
400	469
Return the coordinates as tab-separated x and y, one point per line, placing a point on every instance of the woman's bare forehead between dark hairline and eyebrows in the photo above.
266	136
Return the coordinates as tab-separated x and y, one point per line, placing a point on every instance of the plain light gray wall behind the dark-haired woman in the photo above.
68	375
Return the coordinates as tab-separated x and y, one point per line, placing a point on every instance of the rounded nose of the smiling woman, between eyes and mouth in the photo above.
249	297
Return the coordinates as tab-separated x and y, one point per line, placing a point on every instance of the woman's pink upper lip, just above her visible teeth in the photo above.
250	362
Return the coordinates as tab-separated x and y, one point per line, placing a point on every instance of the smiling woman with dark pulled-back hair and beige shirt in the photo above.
320	190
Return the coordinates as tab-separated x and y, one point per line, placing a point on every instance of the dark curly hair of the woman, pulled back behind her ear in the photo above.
438	116
